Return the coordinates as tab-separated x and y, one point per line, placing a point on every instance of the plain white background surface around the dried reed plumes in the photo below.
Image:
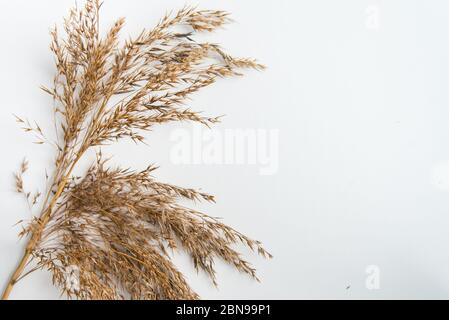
362	107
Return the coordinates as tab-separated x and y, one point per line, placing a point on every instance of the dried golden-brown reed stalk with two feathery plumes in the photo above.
115	228
